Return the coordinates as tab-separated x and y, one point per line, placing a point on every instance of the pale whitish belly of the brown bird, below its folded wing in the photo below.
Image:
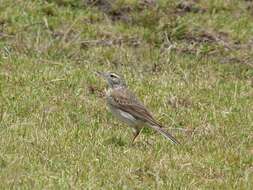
124	116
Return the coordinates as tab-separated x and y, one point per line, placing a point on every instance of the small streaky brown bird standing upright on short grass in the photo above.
127	108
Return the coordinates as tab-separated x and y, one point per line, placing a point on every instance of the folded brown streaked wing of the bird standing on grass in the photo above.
125	100
